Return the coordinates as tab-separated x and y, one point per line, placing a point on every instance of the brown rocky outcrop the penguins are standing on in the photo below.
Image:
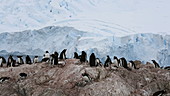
75	79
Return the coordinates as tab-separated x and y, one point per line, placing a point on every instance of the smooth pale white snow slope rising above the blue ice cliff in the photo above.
107	17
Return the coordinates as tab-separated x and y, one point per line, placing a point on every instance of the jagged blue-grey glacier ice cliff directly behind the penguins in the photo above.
141	46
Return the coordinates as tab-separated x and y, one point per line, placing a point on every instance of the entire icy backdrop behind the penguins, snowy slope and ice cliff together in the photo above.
107	27
